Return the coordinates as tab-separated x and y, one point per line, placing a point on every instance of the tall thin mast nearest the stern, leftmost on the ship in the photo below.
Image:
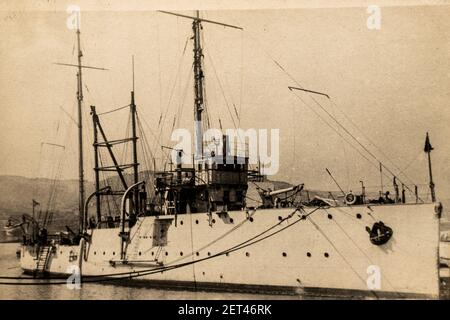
80	130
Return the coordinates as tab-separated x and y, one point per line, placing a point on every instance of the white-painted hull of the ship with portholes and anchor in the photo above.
339	259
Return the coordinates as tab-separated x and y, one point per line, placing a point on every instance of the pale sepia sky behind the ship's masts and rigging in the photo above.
388	87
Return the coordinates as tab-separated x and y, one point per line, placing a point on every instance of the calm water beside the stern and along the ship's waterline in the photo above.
9	266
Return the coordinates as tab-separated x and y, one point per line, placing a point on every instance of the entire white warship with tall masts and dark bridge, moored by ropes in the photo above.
191	226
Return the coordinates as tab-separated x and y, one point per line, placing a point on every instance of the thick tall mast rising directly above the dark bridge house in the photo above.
198	80
